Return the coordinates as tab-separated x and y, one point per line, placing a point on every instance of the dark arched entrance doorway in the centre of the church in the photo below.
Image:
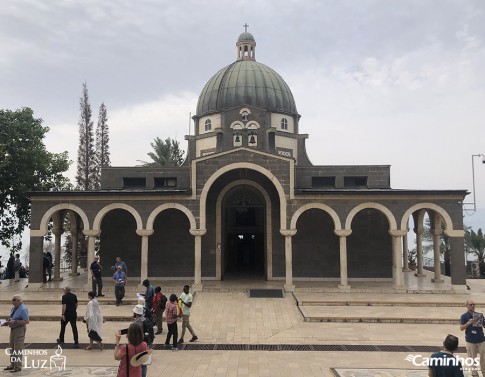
244	234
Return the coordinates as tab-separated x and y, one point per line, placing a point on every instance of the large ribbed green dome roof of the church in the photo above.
246	82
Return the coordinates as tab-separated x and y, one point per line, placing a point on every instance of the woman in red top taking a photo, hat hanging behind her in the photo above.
126	352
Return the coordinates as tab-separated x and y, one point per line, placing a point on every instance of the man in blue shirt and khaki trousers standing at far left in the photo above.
18	321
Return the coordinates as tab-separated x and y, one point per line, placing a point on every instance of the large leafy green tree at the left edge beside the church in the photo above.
25	166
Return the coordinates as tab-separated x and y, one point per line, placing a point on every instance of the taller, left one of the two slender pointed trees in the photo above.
86	177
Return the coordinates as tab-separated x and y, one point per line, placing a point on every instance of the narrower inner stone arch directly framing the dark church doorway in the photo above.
262	190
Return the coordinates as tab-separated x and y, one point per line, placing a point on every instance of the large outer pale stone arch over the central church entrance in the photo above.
242	165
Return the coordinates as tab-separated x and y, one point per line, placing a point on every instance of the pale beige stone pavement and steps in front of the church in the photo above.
235	330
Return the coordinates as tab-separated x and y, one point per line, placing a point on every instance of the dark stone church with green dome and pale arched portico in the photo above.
248	202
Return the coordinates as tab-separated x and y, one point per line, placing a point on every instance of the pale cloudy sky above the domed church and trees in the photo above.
385	82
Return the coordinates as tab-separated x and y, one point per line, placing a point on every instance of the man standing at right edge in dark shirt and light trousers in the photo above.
472	323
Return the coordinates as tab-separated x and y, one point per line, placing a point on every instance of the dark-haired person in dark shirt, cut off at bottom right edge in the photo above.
443	363
